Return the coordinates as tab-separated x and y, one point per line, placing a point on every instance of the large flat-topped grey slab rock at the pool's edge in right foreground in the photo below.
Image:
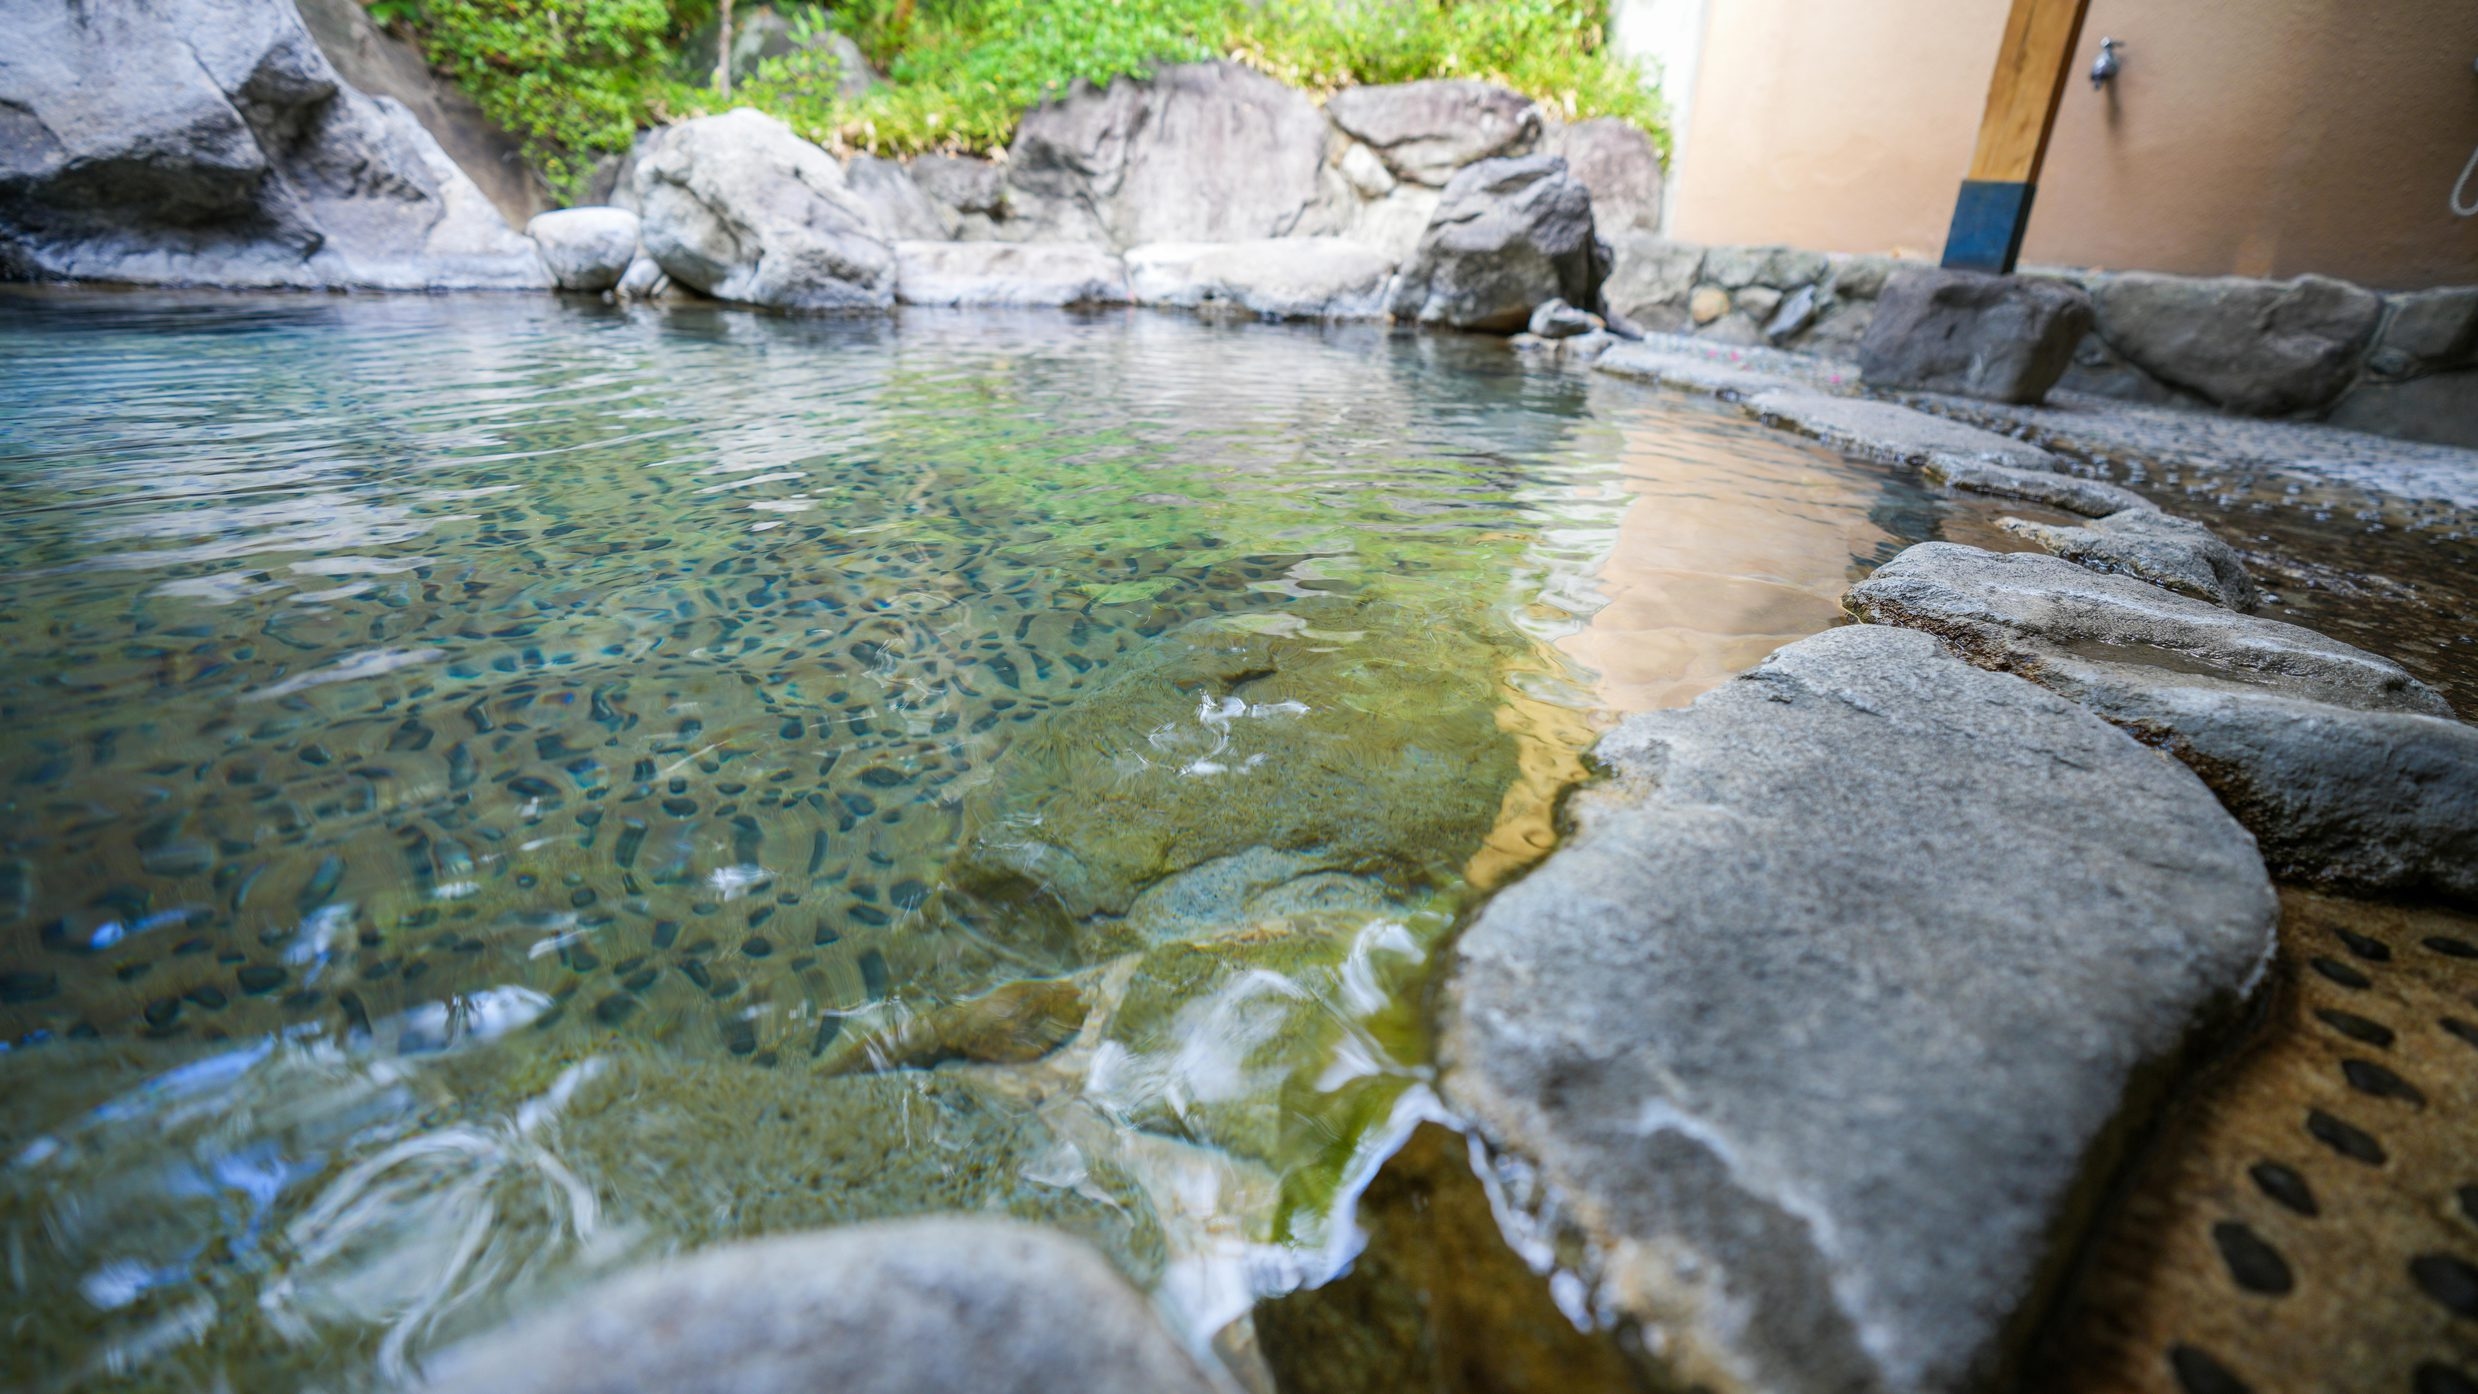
1840	1004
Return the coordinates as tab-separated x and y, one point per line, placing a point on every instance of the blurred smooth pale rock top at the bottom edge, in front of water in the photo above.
888	1309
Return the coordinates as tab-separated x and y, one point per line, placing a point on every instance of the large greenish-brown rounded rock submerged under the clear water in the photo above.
1161	774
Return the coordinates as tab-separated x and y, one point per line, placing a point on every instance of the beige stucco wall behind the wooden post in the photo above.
2254	137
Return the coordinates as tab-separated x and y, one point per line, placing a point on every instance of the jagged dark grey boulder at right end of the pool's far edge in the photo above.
1508	236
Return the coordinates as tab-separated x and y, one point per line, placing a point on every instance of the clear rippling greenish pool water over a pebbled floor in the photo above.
497	791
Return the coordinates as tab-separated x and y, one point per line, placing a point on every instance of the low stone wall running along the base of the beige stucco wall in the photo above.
2311	348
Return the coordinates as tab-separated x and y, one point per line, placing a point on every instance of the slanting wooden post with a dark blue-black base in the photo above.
2023	95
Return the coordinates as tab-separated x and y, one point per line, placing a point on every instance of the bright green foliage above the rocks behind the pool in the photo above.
576	78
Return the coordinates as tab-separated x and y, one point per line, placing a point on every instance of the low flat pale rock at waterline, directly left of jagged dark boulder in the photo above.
1277	279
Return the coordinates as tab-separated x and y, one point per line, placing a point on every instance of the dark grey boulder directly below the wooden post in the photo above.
2001	338
